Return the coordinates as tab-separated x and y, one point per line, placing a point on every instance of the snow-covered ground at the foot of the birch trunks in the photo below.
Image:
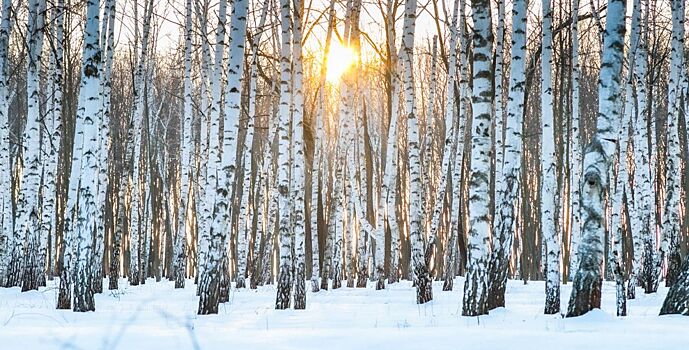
156	316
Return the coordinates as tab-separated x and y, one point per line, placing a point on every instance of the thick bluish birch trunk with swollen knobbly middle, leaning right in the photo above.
586	289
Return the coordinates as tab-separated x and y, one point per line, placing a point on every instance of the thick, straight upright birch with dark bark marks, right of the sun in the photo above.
476	284
